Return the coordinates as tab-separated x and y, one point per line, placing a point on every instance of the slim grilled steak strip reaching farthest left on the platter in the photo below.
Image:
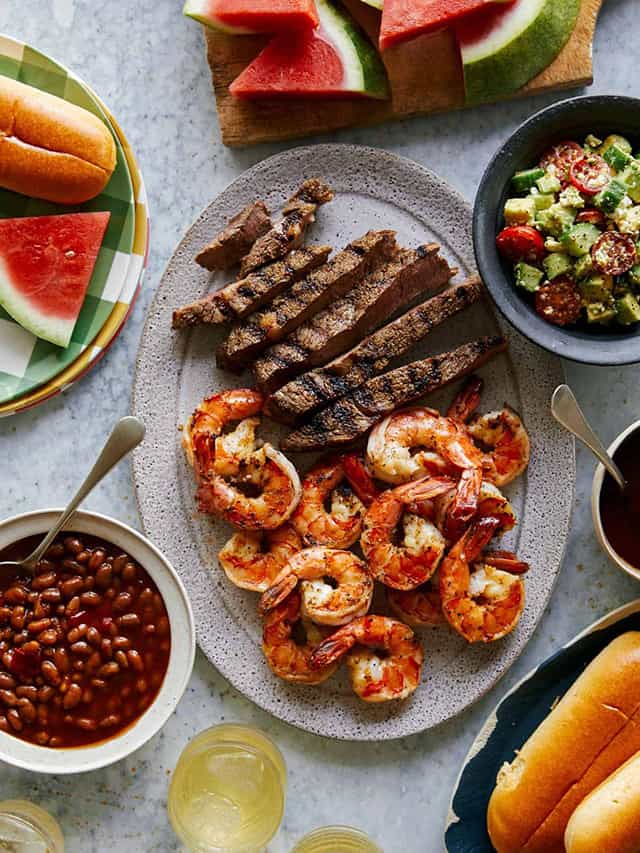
242	297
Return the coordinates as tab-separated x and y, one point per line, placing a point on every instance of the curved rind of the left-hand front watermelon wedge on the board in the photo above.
364	71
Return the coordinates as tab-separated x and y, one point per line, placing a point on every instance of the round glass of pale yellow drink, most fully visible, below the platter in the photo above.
228	790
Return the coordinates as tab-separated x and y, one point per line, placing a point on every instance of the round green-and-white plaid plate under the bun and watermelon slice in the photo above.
26	362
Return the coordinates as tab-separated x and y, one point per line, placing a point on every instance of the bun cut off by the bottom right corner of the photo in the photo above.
608	820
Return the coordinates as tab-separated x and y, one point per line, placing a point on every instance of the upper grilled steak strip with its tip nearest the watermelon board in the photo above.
288	234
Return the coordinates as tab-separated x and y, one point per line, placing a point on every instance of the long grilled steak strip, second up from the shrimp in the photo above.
304	395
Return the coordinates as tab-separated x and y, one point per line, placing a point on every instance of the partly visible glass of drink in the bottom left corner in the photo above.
26	828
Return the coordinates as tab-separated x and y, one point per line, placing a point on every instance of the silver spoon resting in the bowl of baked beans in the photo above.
127	434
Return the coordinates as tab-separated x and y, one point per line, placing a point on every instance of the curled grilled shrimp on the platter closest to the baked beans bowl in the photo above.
253	559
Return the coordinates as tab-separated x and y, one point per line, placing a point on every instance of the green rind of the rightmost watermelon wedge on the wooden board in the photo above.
528	39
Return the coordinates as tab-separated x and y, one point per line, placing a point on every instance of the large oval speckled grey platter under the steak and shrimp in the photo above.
375	189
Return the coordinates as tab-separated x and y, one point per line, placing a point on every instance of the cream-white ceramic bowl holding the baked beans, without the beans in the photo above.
80	759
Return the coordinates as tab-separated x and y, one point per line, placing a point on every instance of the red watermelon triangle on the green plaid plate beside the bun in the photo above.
46	264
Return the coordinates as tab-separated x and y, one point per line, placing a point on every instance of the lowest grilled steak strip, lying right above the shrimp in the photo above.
350	418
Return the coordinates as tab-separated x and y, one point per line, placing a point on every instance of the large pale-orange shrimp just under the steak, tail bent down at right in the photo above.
402	446
